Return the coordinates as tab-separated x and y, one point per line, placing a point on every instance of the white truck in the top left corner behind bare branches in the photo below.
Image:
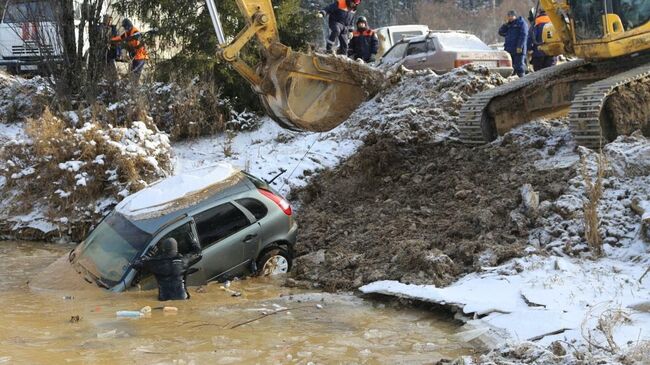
29	38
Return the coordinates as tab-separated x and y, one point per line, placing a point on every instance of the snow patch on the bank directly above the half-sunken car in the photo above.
268	149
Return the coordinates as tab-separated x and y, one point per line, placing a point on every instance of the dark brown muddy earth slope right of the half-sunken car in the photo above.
421	212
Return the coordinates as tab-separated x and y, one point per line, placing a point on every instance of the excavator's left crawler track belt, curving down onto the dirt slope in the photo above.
473	115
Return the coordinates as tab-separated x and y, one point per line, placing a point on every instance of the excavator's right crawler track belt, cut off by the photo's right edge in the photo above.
586	110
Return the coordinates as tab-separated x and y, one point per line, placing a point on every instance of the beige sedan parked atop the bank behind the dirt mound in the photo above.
442	51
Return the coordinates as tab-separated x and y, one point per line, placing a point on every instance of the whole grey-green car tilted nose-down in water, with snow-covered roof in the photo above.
242	224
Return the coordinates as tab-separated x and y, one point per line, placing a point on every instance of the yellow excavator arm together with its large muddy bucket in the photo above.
300	91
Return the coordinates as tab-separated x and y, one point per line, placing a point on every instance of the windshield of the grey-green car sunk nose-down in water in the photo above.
111	247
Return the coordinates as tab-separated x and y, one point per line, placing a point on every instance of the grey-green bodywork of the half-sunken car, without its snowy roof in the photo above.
262	226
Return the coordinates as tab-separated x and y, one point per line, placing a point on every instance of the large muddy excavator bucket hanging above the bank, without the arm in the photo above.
314	92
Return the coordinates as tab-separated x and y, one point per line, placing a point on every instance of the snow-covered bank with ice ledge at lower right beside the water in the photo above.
598	304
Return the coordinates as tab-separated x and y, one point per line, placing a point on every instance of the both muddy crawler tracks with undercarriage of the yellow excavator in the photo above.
579	89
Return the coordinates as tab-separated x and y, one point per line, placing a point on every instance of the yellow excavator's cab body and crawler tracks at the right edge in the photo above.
605	92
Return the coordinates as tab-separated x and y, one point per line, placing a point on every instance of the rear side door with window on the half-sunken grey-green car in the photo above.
224	231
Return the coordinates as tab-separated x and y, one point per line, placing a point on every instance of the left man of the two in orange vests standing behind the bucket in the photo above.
341	18
